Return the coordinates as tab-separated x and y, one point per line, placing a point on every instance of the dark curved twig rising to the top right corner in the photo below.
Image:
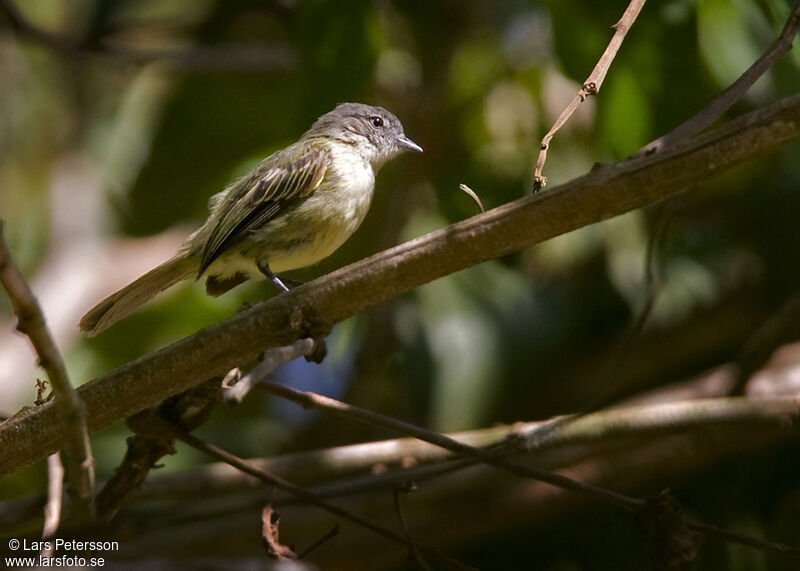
735	91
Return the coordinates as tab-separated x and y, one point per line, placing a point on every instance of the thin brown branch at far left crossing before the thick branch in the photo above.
73	436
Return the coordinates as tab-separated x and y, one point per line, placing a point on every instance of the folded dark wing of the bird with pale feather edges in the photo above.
261	198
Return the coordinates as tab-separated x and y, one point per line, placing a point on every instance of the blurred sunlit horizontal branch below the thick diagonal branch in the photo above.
633	421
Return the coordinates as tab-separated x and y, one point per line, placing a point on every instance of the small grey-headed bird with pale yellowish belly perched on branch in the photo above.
292	210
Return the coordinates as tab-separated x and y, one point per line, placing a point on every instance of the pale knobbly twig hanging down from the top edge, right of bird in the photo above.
590	87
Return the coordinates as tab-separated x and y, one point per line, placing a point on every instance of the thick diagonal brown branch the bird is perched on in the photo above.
313	308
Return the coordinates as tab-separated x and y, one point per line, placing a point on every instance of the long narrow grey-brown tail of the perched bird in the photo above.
125	301
